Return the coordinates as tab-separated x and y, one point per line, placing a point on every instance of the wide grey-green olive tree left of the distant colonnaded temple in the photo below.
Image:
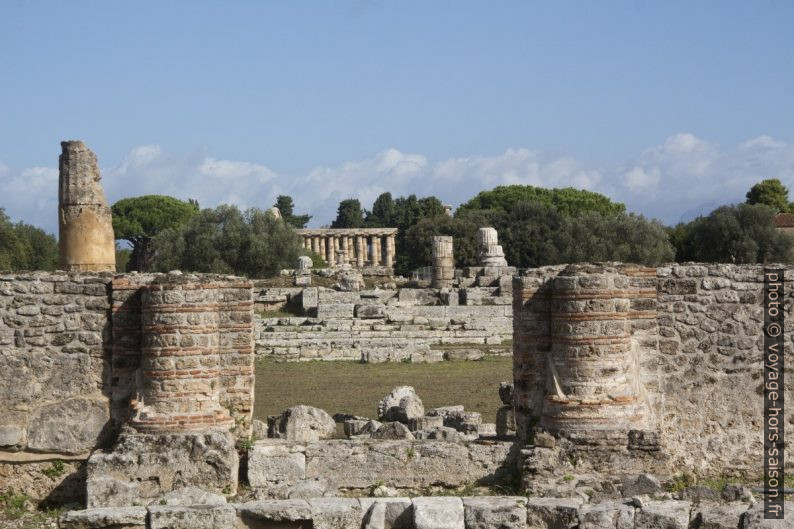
226	240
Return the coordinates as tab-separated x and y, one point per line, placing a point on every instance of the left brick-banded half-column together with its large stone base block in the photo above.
196	371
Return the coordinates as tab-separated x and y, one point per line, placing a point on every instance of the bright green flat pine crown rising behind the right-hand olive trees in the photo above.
568	201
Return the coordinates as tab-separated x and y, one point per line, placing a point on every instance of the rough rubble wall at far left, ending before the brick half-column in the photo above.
55	360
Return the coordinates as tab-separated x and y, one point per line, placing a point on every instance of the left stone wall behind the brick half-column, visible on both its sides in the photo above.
70	348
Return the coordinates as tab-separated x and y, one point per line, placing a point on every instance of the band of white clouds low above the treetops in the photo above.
682	176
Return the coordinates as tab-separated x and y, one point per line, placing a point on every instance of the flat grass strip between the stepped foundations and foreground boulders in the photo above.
350	387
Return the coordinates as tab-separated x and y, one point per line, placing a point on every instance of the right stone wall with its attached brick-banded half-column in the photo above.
694	360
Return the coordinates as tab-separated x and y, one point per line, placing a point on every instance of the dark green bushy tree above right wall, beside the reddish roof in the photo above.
743	233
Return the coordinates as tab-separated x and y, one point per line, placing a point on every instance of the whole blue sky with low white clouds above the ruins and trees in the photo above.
673	107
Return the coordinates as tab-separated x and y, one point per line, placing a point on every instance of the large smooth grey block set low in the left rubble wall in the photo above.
71	426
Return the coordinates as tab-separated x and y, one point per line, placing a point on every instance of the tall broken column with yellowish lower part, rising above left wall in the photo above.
85	225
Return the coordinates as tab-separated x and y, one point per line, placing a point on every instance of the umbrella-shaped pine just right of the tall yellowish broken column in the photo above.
139	219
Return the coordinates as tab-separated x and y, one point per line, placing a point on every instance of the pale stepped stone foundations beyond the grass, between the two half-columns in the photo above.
406	324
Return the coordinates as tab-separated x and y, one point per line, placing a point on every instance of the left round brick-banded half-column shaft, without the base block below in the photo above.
181	360
